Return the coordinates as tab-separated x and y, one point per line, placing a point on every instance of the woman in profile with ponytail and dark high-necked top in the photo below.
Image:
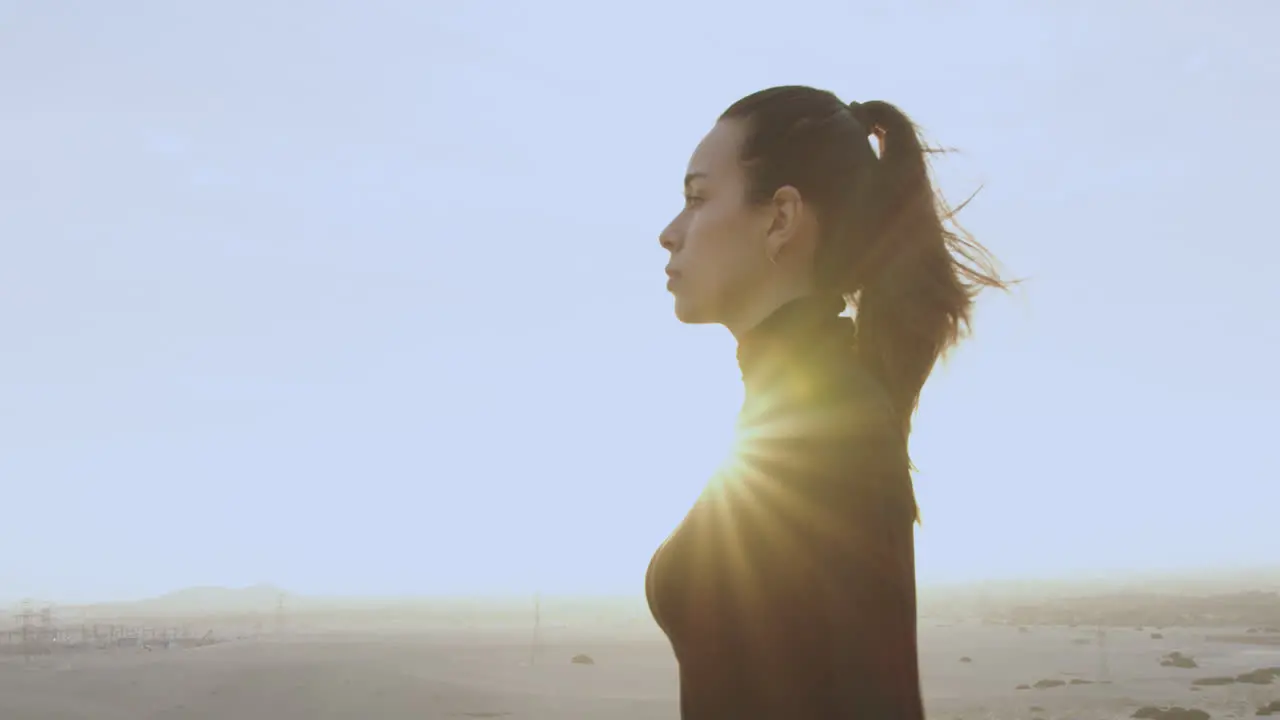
789	590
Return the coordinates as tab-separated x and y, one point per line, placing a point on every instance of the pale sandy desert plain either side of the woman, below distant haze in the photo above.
431	676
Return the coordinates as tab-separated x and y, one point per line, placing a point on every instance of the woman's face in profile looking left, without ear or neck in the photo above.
717	243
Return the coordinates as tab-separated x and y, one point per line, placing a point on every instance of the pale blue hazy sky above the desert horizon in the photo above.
367	298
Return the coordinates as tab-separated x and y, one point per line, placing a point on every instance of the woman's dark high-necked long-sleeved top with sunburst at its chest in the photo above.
789	590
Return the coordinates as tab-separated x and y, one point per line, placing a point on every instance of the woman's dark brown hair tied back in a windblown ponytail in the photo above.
886	245
